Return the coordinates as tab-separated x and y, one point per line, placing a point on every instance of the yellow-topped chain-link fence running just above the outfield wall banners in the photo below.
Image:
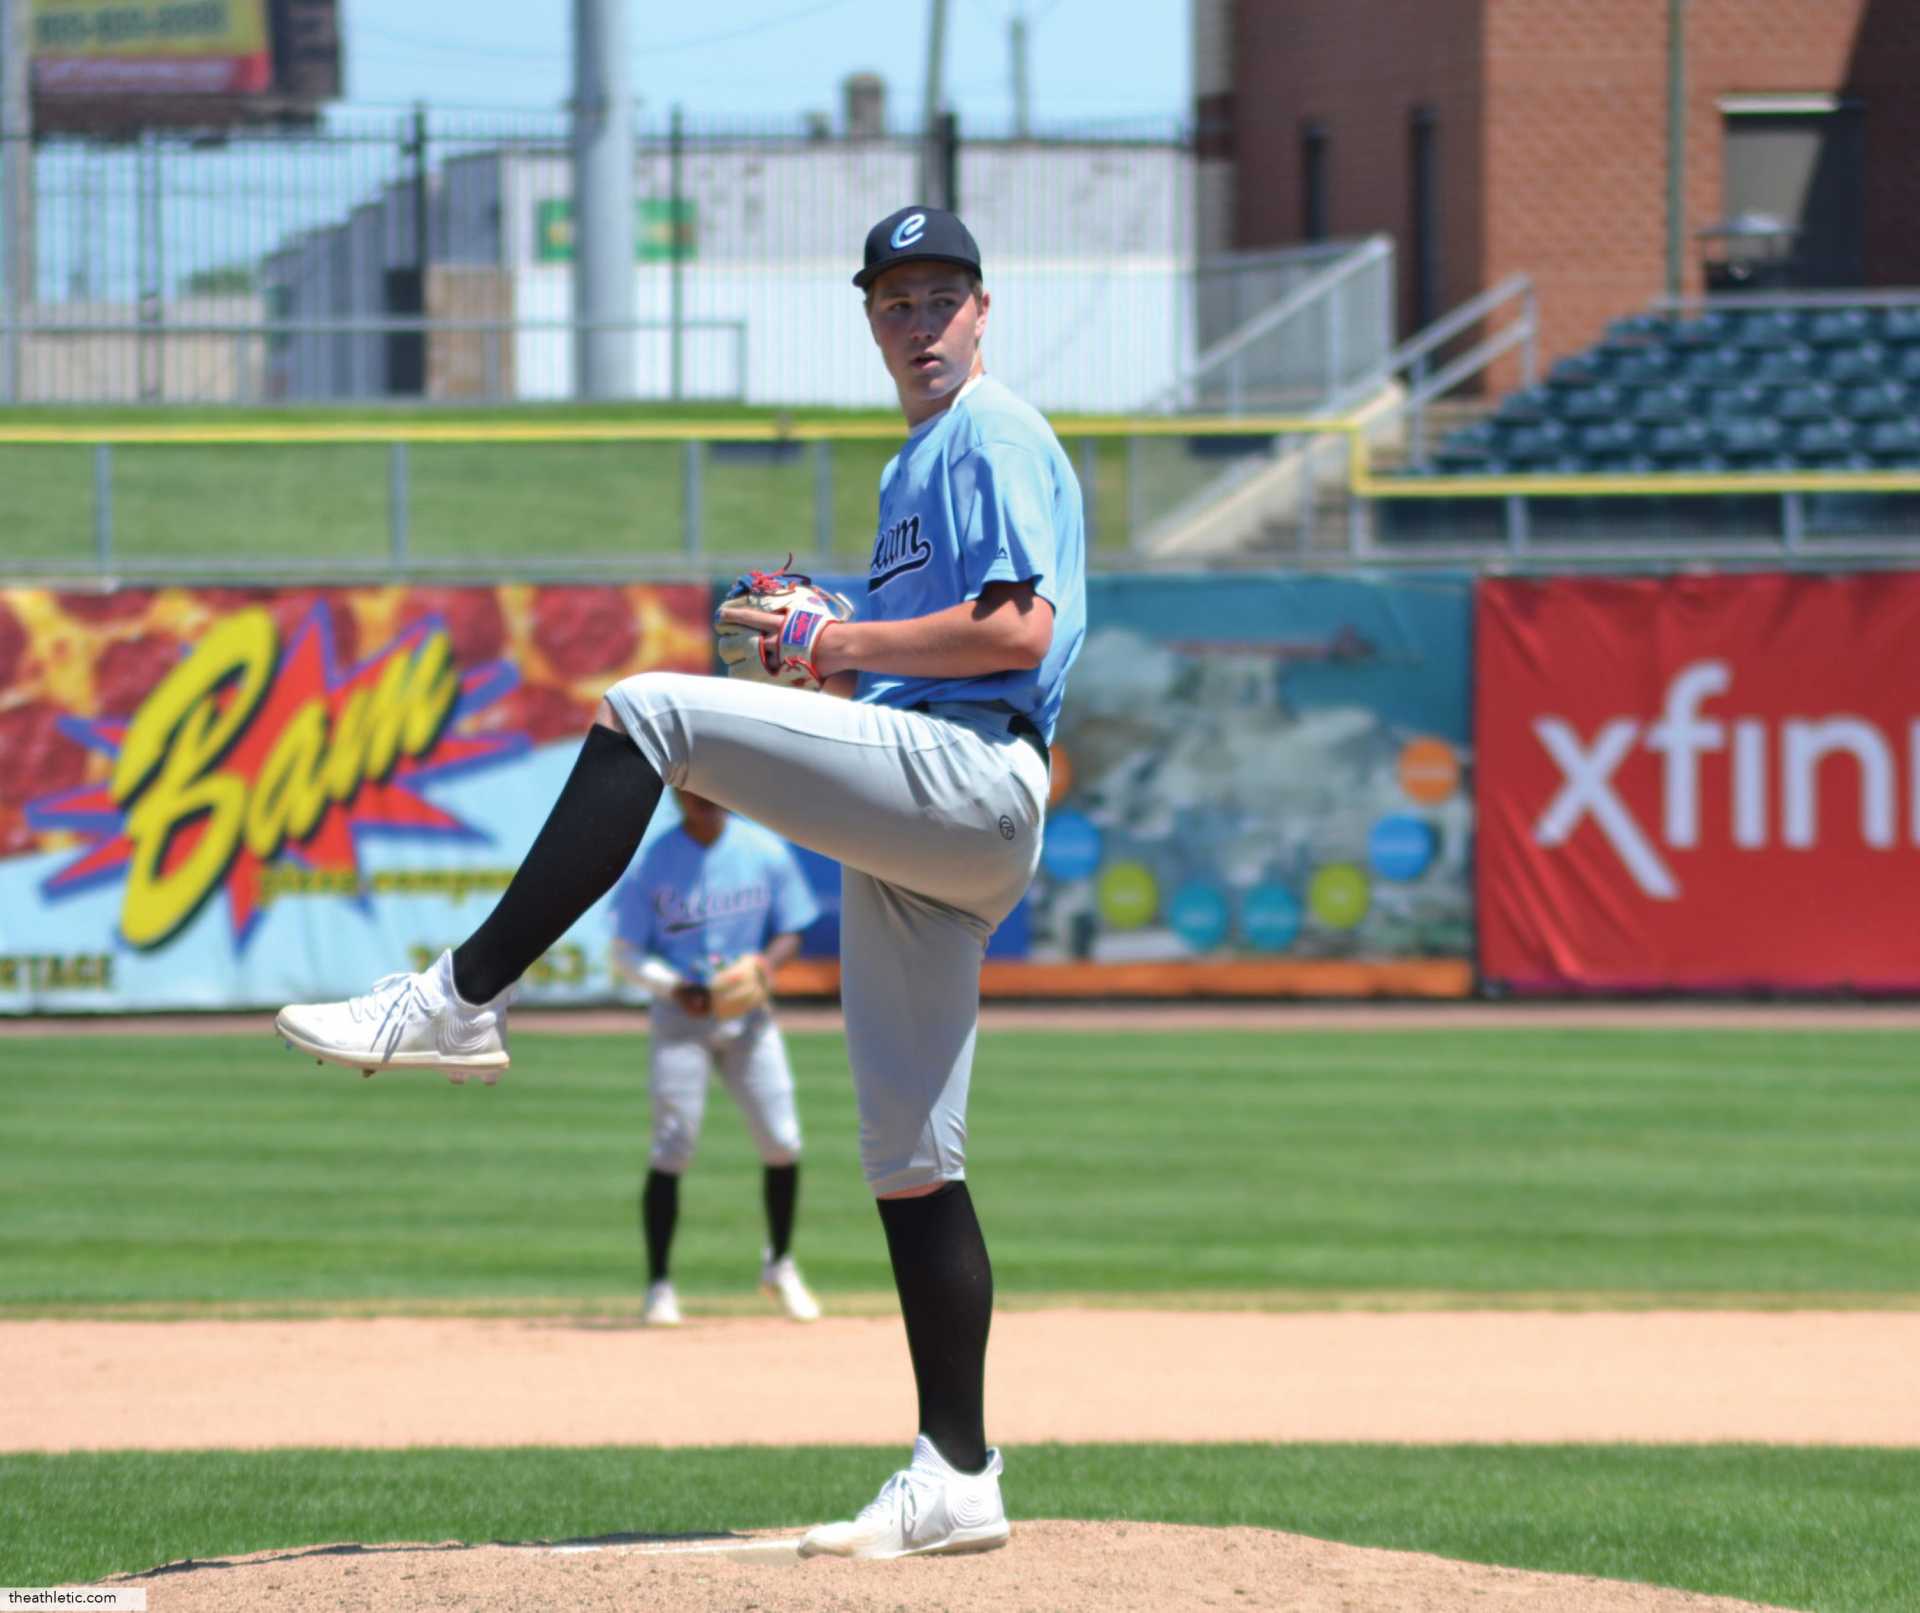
732	493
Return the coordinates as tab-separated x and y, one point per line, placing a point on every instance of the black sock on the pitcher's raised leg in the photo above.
581	852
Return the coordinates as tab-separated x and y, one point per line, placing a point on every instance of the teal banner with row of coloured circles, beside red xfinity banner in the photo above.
1262	771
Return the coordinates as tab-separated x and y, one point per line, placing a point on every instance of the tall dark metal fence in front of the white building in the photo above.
396	254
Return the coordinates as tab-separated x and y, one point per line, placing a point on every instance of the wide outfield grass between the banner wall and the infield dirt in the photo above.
1466	1165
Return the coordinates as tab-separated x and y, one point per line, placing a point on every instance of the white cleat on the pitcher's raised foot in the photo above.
406	1023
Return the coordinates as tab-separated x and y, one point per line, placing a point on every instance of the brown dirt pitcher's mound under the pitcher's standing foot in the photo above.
1049	1568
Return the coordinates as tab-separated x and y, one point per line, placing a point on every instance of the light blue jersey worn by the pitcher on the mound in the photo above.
980	494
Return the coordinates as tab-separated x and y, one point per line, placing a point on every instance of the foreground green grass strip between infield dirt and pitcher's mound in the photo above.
1819	1529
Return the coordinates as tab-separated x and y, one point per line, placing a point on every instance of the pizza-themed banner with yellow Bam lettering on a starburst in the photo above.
220	798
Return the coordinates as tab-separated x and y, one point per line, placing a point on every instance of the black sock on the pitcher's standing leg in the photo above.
946	1282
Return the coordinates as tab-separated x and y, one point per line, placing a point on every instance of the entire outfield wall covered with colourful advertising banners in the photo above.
1264	786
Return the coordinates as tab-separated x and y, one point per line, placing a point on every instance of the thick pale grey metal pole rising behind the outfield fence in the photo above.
604	203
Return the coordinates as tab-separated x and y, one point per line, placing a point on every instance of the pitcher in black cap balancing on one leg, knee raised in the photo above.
928	786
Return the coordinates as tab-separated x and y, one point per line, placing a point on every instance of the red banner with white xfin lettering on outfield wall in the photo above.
1700	782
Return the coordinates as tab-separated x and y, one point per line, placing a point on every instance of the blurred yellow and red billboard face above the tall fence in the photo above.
151	47
